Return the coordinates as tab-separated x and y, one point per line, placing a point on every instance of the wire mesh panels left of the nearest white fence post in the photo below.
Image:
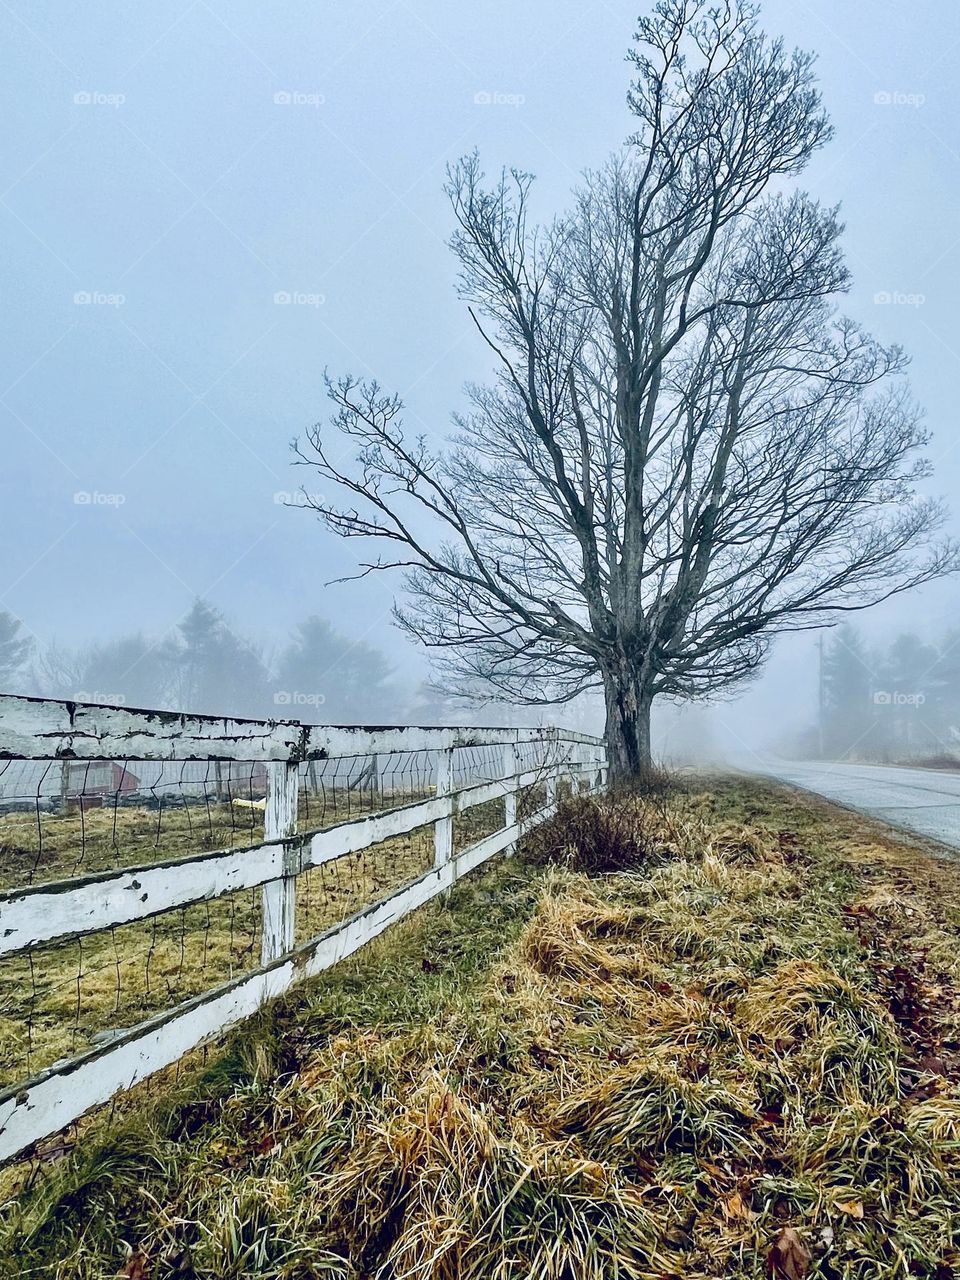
65	821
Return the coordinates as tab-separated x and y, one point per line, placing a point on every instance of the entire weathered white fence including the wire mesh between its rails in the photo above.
433	783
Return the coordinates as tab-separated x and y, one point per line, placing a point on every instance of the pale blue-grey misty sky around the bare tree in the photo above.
181	164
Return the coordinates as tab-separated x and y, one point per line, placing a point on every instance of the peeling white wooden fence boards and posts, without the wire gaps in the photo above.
48	915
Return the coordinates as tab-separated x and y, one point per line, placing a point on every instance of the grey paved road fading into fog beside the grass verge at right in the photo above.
926	802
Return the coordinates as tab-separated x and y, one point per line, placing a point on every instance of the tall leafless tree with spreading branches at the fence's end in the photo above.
685	450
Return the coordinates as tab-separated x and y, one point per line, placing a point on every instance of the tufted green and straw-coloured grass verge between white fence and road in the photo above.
740	1054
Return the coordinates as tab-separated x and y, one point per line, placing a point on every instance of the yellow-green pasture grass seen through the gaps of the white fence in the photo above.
57	999
